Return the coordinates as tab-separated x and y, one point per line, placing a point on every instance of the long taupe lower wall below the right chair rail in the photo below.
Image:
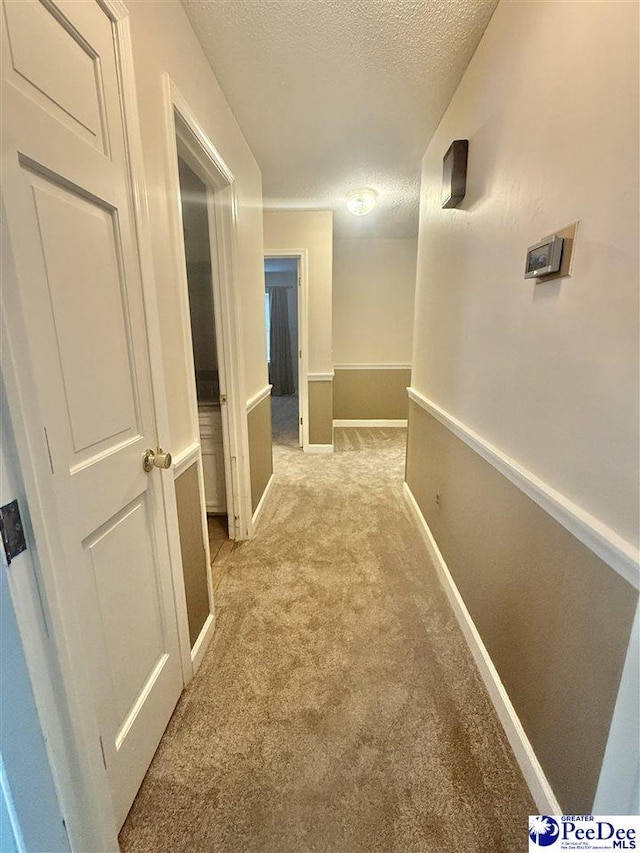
554	618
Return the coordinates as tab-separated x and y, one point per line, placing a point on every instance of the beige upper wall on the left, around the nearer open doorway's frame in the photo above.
163	41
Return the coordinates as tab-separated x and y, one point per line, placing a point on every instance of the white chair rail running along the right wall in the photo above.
621	555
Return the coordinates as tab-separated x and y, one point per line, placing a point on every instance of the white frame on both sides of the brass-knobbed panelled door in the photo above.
60	681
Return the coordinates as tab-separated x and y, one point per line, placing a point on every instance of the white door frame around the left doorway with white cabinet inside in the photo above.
200	154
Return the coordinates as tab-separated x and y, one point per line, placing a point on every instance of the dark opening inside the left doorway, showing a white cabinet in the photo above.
207	358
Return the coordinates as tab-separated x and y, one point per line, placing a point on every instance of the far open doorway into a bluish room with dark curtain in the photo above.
284	276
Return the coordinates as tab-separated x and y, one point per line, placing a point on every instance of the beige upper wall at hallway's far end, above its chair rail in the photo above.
373	294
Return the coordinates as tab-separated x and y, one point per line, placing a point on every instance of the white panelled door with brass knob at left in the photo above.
68	205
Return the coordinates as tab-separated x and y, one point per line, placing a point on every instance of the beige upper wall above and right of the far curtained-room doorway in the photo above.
285	230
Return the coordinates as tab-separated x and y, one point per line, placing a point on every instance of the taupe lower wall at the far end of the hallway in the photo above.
370	394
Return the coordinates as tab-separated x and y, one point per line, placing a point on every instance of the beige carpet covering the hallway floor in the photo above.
338	708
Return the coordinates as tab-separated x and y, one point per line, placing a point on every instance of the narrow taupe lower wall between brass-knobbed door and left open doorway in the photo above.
194	556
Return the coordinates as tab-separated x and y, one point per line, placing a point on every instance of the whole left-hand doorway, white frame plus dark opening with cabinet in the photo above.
217	411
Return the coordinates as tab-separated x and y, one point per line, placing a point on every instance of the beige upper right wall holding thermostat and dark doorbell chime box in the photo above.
549	372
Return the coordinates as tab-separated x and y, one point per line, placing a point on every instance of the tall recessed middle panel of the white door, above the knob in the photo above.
81	250
